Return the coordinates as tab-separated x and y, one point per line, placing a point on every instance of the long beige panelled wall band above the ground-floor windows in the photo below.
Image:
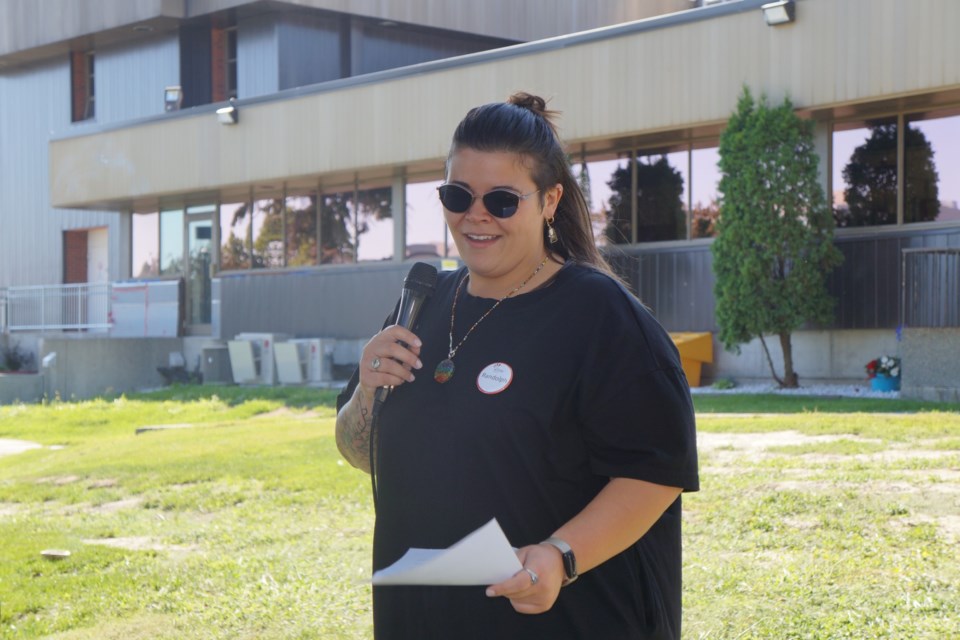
665	75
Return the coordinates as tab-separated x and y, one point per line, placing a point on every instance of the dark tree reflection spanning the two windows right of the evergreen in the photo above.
871	177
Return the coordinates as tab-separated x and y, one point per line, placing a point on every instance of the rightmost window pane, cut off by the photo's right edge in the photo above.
931	168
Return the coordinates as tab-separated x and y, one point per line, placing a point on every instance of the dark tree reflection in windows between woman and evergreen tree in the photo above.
660	213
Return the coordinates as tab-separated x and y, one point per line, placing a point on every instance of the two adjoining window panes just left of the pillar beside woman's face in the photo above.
356	225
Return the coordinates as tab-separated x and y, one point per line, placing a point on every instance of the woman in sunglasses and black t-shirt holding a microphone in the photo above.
536	390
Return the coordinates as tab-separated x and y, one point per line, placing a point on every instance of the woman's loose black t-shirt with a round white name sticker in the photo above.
554	392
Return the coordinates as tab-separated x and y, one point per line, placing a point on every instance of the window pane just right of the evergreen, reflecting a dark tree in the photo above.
865	173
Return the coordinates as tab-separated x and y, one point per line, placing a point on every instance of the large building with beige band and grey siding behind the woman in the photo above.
266	161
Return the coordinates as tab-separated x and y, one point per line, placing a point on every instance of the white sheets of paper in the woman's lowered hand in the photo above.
482	558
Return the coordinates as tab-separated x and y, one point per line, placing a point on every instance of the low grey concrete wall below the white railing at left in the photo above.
86	367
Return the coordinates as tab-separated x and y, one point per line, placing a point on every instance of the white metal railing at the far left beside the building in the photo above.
56	307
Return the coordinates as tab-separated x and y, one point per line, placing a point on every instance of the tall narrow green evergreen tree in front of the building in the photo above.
774	246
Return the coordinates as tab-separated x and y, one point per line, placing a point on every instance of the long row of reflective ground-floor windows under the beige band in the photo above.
676	198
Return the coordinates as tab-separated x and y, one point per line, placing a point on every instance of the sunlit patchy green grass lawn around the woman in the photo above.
817	518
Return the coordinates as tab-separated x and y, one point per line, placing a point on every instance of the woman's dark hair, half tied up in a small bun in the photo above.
524	126
